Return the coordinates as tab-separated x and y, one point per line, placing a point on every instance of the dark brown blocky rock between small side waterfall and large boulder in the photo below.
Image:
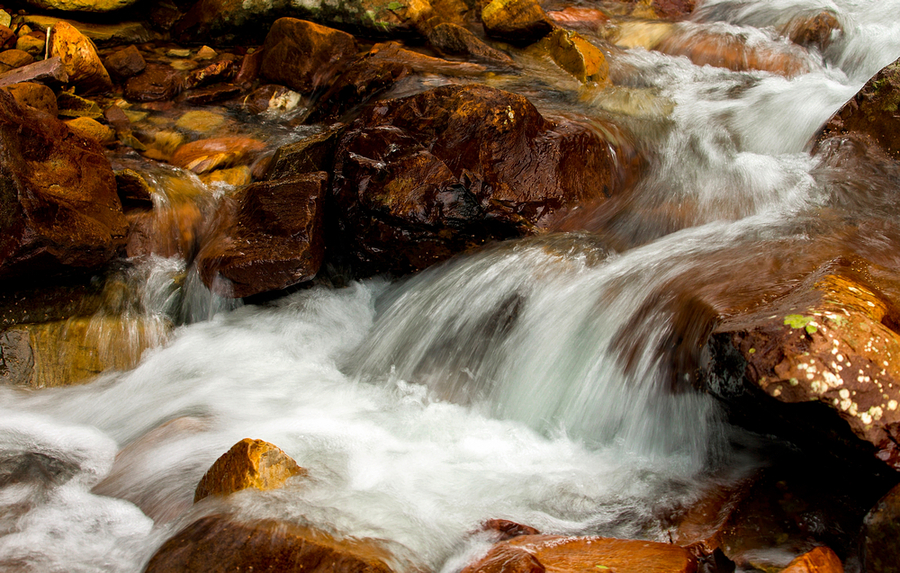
268	238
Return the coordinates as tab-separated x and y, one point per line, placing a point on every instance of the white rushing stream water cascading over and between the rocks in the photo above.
539	380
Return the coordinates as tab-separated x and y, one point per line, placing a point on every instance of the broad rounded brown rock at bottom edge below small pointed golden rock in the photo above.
218	544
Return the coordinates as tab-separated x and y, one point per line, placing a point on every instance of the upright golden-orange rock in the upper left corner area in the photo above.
79	56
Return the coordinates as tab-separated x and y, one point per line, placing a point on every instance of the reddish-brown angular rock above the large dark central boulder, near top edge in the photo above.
305	56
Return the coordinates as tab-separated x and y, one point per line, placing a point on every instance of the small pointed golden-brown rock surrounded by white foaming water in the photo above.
249	463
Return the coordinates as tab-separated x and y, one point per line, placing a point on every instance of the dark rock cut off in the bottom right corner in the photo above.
880	545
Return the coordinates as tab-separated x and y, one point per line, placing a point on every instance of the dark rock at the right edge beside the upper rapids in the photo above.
872	113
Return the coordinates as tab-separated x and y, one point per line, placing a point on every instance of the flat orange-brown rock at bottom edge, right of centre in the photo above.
539	553
